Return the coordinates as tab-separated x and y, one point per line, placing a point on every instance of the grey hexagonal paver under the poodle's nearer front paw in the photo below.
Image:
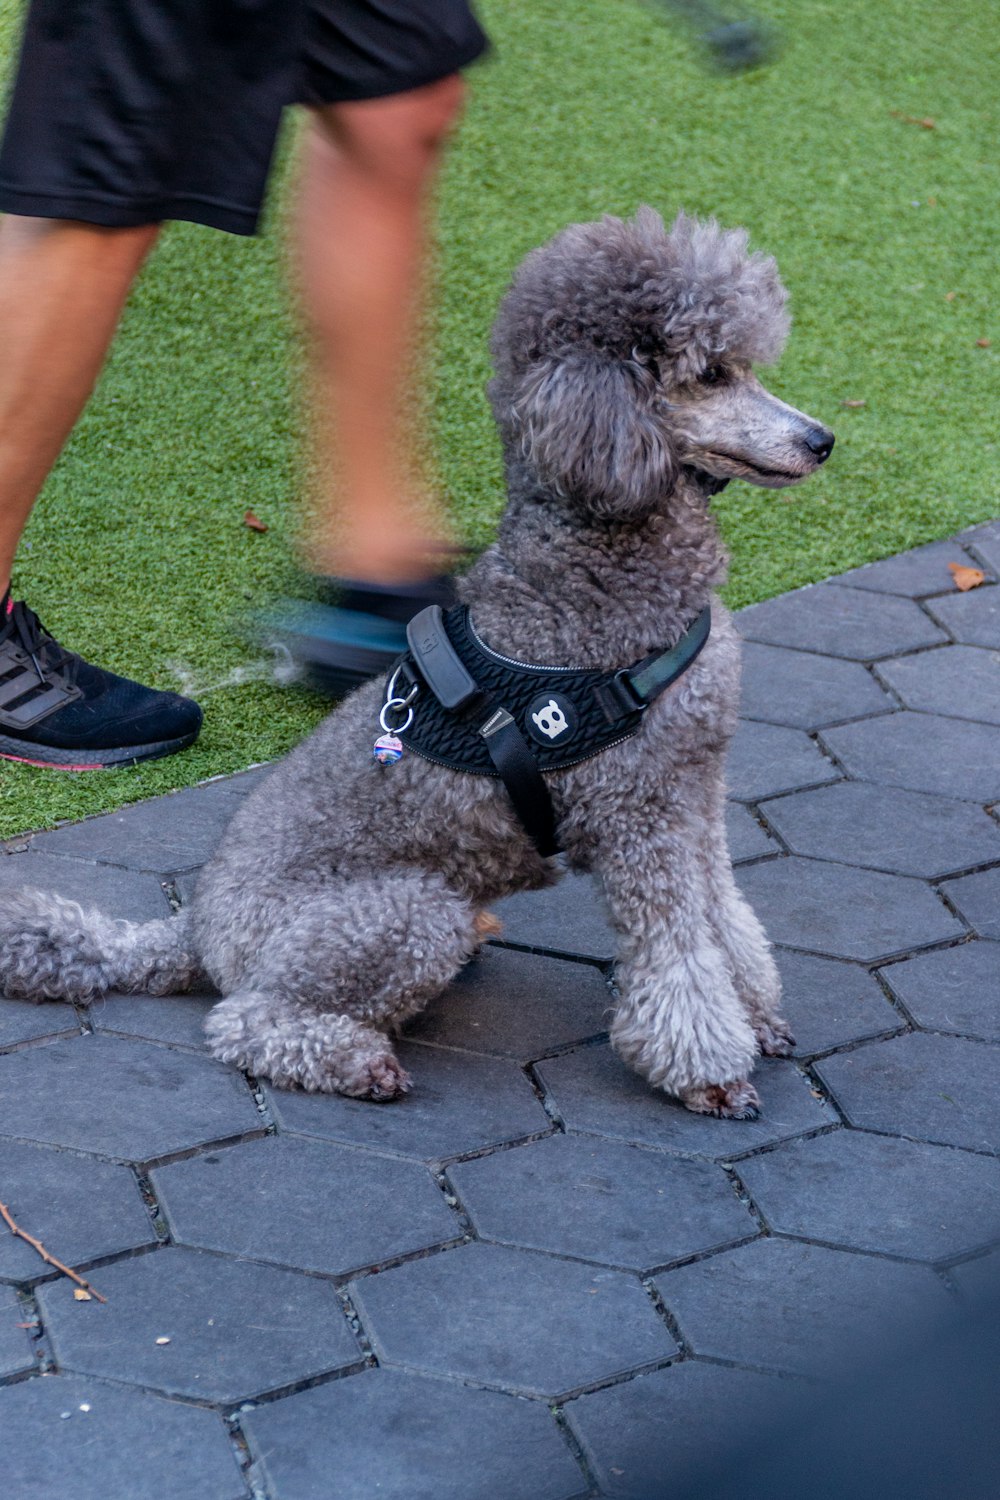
596	1093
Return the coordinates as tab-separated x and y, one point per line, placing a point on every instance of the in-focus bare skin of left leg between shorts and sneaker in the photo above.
62	292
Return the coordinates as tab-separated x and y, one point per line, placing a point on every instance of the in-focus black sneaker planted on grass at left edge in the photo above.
58	710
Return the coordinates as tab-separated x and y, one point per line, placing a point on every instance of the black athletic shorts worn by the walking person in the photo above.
133	112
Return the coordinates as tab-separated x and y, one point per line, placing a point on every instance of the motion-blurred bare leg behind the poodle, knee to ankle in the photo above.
368	172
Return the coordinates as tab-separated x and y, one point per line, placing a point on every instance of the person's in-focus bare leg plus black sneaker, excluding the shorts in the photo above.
62	290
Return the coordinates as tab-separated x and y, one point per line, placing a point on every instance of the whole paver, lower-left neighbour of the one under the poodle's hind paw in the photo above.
316	1207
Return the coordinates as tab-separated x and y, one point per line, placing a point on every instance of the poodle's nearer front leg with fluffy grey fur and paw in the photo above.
680	1022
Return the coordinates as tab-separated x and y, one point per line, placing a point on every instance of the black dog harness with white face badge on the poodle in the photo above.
475	710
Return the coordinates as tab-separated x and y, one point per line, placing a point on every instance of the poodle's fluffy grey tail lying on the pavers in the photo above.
58	950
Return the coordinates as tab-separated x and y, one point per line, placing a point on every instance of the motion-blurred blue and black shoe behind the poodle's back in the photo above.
358	634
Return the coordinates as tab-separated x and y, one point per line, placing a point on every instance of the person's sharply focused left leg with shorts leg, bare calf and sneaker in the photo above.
115	127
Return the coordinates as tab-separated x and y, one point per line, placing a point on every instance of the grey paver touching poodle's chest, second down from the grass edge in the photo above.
806	691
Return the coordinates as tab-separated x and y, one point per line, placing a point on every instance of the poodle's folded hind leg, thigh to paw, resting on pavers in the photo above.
353	962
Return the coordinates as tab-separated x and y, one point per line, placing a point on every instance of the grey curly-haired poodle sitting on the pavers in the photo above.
347	893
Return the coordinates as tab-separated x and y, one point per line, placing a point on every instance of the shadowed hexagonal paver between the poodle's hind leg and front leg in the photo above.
518	1006
